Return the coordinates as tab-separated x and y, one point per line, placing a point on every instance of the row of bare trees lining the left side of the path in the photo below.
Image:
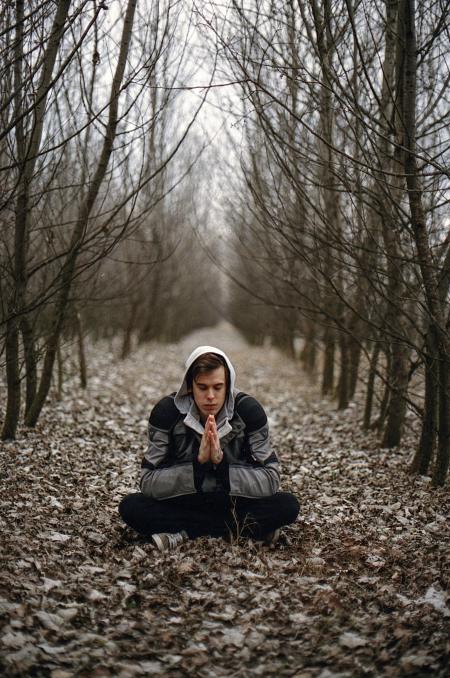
92	145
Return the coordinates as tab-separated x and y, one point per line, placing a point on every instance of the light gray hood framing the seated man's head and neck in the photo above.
184	401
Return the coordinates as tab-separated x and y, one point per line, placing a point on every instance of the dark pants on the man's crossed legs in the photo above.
214	515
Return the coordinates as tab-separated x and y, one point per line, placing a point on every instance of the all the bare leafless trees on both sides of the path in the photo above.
338	218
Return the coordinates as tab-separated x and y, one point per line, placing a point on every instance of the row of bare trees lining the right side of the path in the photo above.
339	218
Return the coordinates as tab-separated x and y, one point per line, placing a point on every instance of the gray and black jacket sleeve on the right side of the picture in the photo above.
259	475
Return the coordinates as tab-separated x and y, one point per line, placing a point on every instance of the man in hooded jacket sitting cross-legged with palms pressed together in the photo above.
209	469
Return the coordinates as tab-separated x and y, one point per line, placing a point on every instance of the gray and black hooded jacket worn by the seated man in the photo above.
170	468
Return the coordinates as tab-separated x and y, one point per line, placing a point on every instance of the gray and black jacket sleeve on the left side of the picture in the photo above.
161	476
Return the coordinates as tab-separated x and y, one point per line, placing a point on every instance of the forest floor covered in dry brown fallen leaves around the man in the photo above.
356	587
